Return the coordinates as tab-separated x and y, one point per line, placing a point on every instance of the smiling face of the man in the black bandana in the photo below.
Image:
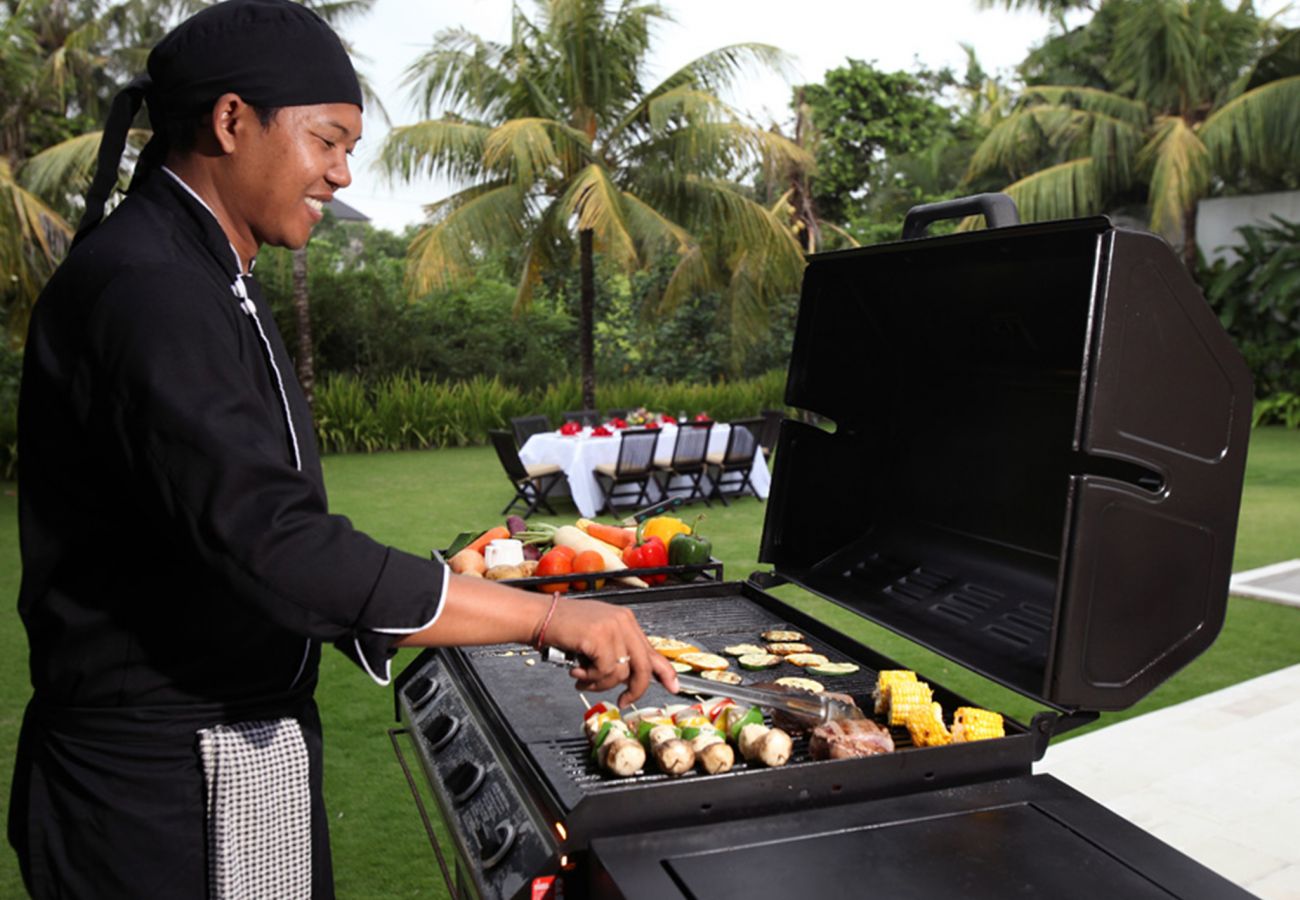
275	179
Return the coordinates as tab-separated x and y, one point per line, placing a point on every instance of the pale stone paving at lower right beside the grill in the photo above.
1232	804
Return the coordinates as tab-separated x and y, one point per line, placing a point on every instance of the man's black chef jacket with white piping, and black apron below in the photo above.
180	569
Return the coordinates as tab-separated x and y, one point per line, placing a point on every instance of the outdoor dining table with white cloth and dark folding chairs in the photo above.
625	460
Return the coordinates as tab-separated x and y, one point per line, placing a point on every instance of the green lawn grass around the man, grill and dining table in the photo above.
422	500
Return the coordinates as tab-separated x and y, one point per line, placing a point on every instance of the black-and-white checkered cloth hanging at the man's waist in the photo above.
259	811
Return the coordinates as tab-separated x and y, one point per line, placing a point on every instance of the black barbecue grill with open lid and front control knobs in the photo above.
1035	469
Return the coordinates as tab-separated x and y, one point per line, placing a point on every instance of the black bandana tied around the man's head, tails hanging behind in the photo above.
270	53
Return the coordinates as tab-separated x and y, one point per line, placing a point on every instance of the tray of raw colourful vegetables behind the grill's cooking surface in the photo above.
587	557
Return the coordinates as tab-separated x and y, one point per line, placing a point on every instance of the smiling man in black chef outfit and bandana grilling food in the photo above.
180	564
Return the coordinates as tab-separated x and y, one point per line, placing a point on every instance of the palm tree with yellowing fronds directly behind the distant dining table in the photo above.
562	146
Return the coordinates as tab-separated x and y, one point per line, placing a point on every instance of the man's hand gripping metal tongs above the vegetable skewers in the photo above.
614	647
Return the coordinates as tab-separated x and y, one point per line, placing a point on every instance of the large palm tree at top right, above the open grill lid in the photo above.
1185	115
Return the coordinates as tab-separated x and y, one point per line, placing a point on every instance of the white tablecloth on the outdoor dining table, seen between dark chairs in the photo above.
580	455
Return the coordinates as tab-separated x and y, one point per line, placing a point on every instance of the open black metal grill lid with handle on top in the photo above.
1037	460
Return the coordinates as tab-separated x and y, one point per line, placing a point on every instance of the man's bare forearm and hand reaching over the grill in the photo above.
609	638
